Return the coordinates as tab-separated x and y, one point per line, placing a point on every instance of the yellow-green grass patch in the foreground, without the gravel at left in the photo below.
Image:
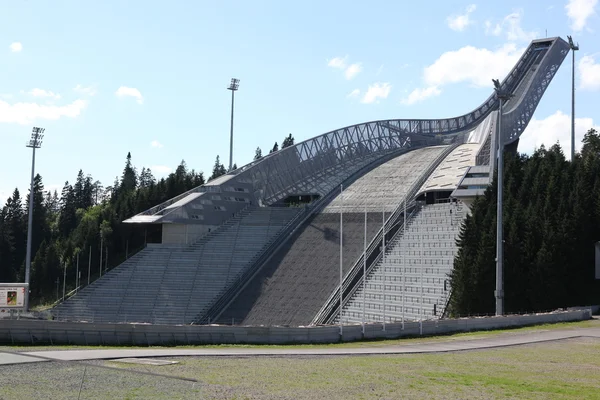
566	369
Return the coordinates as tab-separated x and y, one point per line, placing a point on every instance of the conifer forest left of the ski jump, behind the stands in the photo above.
83	220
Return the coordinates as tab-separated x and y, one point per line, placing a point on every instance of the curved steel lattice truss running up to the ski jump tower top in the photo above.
318	165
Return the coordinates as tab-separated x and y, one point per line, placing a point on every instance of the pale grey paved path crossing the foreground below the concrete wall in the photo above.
502	340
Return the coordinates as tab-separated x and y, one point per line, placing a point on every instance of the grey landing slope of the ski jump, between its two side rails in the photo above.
292	287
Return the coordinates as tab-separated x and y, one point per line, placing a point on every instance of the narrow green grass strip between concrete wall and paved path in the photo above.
371	343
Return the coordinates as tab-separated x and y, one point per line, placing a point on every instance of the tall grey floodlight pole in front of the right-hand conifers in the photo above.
502	95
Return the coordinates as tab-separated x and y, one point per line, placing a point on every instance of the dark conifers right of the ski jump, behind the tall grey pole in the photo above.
551	224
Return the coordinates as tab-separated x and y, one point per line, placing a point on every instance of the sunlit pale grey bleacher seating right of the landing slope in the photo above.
416	269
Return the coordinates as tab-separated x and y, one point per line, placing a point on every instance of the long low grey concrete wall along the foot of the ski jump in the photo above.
53	332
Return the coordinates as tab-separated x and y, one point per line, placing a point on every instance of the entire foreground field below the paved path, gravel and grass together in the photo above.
562	370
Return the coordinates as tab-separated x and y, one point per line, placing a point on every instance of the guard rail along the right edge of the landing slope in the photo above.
330	309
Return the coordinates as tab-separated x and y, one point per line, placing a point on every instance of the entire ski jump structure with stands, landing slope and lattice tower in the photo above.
260	245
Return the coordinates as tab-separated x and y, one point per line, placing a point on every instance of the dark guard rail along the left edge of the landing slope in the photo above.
215	311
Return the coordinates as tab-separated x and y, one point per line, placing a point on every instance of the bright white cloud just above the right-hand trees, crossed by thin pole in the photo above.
552	129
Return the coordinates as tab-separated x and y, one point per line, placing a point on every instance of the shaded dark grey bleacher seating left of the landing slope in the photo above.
174	284
